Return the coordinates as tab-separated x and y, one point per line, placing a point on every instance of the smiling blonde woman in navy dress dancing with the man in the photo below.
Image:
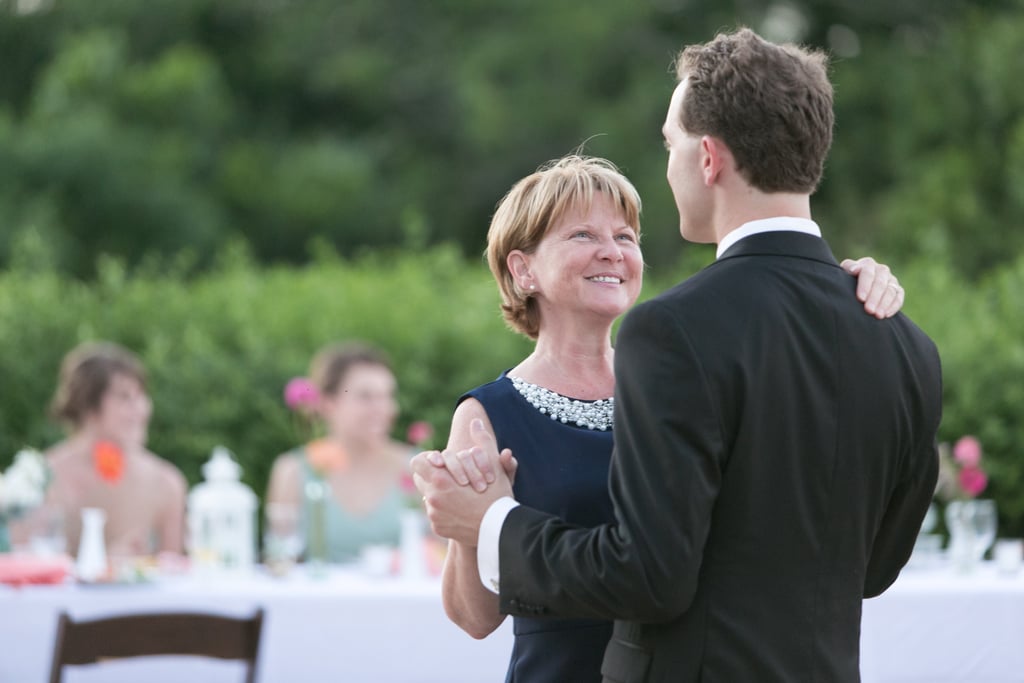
564	246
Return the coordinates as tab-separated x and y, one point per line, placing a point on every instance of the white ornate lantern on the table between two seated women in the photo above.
222	518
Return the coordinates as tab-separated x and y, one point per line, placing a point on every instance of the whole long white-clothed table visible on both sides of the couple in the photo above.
932	626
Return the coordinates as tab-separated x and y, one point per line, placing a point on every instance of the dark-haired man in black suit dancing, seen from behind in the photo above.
775	447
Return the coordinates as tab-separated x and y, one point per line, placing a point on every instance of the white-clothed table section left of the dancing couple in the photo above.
346	627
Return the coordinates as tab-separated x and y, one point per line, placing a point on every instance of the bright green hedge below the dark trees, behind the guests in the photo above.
220	349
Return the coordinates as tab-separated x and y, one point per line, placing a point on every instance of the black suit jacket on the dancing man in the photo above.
775	458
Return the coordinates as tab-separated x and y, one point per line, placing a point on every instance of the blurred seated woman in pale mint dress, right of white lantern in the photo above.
357	465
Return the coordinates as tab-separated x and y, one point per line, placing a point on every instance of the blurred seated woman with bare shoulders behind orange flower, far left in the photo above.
104	462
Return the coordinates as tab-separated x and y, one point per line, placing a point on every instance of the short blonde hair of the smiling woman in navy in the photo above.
536	204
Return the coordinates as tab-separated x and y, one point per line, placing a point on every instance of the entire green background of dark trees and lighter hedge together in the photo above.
226	186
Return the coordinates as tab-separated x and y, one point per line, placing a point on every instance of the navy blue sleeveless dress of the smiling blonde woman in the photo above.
564	469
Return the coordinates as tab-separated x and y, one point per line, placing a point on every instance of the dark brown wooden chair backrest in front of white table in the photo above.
156	634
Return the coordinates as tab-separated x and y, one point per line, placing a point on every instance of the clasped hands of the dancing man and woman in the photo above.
458	487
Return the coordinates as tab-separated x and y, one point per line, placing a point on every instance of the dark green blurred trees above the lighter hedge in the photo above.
135	129
